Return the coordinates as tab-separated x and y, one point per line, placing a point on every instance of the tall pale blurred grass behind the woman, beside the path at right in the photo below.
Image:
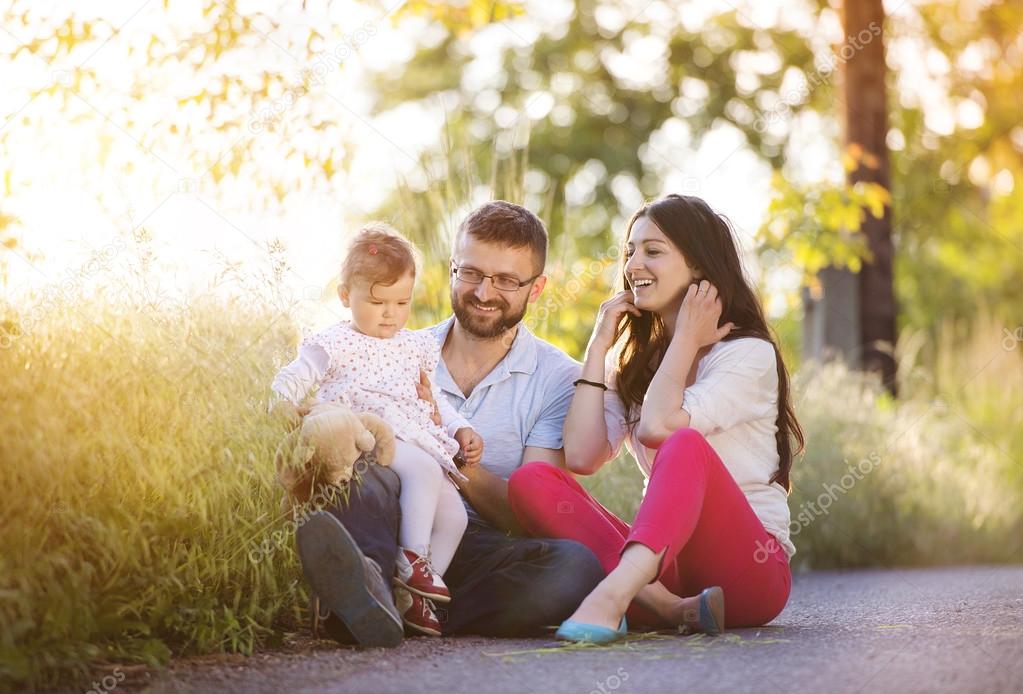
888	483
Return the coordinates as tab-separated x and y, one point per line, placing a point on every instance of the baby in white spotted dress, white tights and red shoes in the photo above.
372	364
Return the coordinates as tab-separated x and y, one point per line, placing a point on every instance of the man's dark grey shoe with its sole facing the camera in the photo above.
348	584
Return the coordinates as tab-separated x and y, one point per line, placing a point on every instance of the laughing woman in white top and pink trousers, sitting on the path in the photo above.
700	388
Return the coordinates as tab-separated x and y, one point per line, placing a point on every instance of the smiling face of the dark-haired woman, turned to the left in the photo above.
655	269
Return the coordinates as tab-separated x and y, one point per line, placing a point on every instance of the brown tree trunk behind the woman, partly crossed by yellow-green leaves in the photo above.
867	126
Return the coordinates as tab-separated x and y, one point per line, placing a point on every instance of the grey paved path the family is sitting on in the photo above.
908	631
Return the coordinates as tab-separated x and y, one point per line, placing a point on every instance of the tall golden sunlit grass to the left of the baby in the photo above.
139	467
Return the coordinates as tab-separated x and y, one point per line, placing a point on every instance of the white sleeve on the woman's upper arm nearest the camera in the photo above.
739	384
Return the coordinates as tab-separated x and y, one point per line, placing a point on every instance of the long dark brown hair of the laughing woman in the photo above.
706	241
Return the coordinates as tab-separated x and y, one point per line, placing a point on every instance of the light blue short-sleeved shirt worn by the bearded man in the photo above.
521	403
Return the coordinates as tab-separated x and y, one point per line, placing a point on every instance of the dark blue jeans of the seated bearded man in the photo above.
501	586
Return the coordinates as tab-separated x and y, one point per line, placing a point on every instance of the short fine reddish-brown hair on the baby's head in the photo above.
379	255
